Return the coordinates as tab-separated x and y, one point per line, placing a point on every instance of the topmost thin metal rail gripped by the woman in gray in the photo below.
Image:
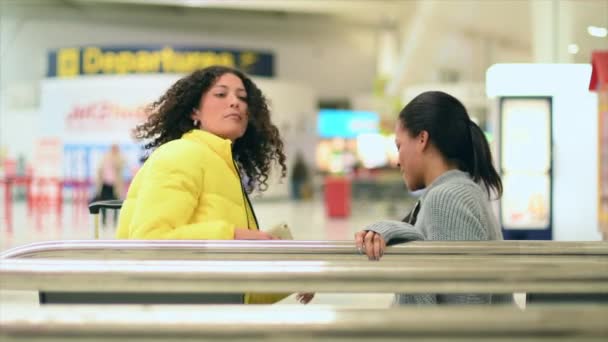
178	249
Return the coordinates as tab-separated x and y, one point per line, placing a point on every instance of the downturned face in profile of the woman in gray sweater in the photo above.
410	157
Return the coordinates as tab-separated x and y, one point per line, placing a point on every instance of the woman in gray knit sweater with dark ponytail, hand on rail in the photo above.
443	151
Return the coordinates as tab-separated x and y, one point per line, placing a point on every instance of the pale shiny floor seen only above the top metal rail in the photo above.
306	219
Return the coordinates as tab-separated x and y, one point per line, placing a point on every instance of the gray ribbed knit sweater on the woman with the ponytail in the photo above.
453	207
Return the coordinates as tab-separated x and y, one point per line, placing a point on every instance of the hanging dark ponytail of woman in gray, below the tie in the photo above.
480	166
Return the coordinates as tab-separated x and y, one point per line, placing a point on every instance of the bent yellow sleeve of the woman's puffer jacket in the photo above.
168	198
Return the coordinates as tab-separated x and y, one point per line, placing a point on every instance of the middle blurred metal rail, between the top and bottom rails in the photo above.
451	275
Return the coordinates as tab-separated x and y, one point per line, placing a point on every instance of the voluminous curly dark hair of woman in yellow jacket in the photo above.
170	117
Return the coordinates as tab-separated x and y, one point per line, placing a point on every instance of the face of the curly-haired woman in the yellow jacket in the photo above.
223	108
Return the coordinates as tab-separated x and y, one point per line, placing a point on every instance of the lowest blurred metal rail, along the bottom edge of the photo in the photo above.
261	323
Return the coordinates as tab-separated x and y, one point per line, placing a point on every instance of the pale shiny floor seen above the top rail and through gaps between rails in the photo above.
306	219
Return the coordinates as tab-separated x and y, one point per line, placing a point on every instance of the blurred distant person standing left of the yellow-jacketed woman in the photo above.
110	185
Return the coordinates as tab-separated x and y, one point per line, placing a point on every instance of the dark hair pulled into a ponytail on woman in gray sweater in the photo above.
453	133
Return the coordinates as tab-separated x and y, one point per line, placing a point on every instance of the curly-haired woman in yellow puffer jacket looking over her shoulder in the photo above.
209	129
